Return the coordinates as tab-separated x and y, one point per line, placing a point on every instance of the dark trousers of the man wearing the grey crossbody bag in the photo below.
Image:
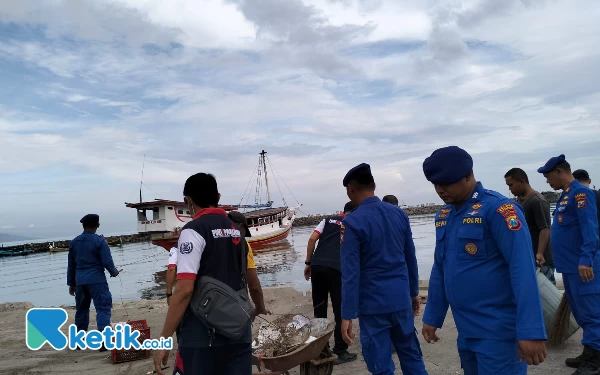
234	359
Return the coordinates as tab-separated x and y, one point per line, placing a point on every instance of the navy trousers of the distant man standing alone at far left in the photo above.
100	295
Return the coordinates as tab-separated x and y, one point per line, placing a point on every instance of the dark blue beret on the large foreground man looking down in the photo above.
447	165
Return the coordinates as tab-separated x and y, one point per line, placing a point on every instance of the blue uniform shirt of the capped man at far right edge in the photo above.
574	232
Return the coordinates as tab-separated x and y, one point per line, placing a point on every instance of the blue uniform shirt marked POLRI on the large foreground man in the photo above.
484	270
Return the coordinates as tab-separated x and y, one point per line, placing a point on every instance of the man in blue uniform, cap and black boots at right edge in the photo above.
574	237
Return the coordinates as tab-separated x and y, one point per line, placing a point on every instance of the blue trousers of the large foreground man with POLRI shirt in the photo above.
490	357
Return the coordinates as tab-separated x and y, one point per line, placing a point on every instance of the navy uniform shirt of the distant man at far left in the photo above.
89	255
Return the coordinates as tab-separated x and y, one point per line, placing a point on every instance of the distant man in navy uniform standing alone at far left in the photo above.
89	256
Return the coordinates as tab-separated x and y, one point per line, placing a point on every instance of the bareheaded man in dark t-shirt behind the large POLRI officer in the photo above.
537	215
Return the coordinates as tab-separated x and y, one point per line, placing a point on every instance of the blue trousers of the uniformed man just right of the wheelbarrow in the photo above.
377	335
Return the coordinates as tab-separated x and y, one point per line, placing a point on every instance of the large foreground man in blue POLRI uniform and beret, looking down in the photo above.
484	269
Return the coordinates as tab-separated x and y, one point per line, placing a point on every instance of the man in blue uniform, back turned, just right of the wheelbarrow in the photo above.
380	280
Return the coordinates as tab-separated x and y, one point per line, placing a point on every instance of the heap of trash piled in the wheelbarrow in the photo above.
286	334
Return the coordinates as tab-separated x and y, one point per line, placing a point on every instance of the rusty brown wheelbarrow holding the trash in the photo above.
314	358
